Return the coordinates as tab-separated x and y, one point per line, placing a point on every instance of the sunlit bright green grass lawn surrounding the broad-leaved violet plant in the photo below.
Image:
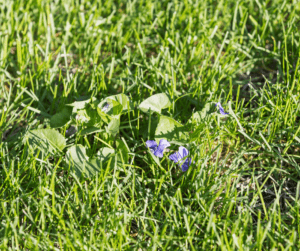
242	191
